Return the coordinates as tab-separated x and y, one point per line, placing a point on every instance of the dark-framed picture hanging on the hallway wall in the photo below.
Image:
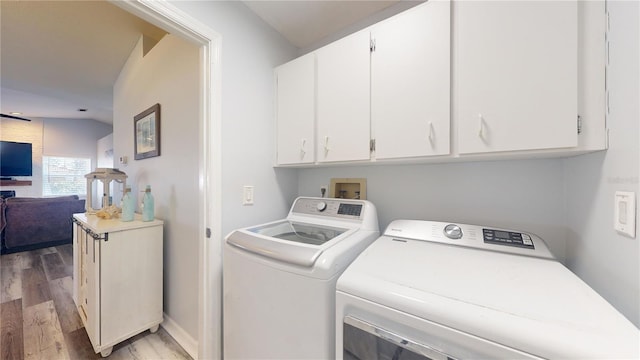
146	127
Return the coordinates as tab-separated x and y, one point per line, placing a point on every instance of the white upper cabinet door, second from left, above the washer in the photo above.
343	99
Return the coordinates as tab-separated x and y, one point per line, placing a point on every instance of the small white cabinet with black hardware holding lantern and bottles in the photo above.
117	278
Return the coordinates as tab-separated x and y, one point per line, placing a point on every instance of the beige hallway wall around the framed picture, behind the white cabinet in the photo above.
168	75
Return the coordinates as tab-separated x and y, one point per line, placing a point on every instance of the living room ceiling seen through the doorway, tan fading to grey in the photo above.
61	56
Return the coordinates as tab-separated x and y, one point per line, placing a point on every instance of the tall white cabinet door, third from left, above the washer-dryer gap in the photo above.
410	83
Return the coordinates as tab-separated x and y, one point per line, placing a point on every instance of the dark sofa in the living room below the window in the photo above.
31	223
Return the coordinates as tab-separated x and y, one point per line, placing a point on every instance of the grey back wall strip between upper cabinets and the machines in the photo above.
523	195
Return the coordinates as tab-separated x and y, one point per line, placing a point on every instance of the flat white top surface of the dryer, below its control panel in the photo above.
531	304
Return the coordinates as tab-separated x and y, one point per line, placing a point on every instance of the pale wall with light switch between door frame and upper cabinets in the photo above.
250	51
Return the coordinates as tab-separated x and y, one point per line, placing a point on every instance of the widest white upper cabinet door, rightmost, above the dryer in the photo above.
515	75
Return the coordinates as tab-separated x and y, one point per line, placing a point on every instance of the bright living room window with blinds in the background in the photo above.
64	175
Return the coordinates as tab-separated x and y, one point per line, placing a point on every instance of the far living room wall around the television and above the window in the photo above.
52	137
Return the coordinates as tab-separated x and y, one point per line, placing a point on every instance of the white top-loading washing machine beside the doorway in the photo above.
279	279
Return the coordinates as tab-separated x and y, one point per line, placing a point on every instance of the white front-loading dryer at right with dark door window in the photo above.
445	291
